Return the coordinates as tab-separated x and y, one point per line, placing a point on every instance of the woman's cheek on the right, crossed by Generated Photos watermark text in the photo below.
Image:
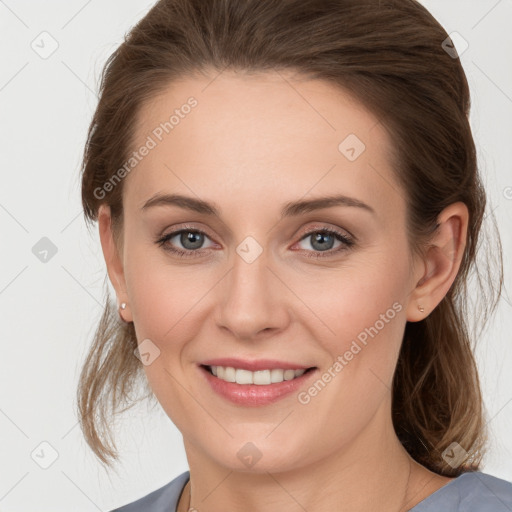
360	323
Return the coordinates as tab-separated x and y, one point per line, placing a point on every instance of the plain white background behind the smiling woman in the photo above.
49	310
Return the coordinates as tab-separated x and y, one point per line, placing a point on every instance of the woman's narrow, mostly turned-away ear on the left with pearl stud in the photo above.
113	259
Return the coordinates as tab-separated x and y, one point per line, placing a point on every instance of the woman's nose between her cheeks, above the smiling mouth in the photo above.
253	299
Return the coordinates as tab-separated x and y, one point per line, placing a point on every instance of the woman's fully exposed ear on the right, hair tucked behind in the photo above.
441	262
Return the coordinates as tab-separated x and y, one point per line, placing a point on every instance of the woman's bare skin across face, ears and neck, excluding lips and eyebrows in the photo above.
253	143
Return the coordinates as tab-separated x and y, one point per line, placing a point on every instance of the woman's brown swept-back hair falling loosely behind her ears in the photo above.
388	55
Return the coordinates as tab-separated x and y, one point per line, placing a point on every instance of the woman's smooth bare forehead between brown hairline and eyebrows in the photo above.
240	137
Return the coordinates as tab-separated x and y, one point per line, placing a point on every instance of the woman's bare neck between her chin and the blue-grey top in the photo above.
374	472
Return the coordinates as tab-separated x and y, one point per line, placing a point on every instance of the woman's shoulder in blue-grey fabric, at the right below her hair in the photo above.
470	492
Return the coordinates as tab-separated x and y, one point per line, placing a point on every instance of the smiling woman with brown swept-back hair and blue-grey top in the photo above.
233	140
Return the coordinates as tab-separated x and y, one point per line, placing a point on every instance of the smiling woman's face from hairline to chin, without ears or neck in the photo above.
324	288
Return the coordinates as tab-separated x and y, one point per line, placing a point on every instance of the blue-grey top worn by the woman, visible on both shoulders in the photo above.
469	492
